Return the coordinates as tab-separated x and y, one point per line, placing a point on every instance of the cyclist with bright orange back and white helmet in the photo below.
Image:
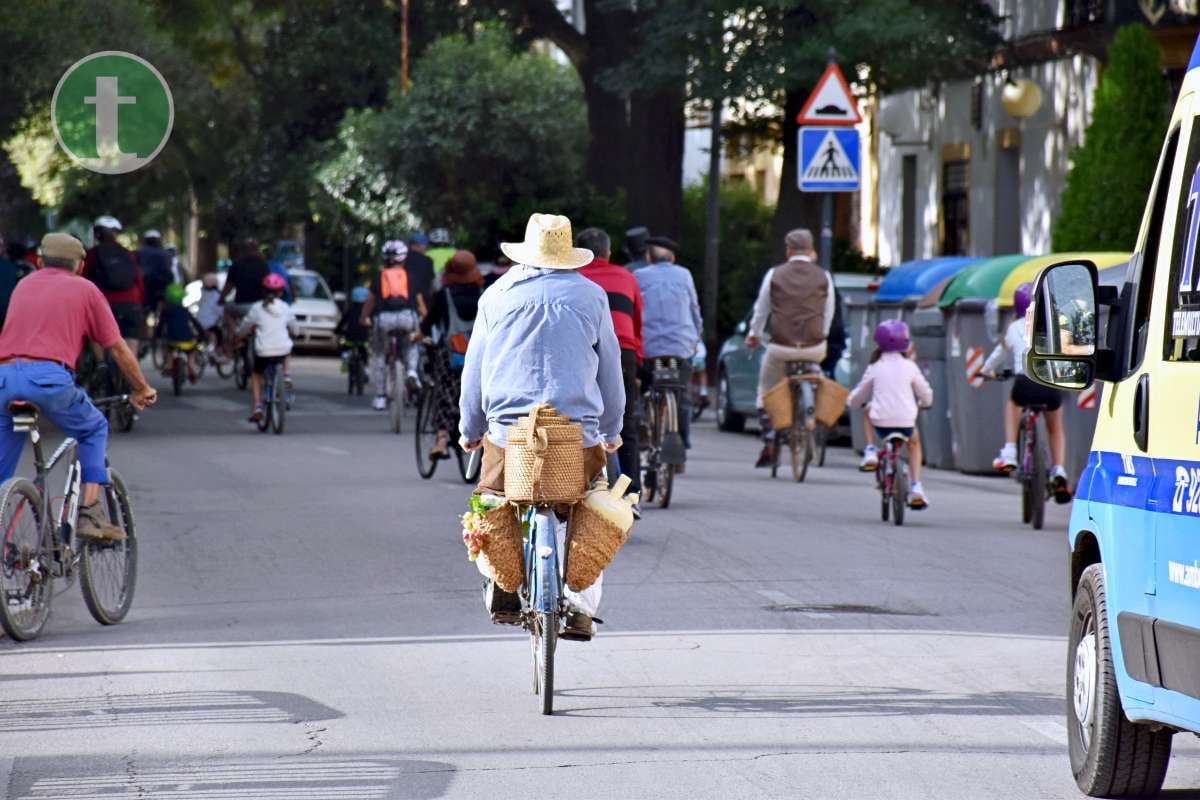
391	308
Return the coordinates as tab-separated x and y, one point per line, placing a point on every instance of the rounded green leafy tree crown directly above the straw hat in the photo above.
485	136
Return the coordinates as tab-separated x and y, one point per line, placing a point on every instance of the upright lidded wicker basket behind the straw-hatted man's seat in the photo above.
544	459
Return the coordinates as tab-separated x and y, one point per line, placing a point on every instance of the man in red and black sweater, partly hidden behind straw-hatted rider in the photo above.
626	305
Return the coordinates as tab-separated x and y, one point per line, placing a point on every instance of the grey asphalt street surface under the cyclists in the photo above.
308	625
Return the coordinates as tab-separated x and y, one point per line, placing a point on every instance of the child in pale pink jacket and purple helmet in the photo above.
895	390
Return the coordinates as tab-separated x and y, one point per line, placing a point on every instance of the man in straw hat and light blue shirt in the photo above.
543	335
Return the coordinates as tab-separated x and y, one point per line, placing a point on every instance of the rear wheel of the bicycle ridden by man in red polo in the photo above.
26	581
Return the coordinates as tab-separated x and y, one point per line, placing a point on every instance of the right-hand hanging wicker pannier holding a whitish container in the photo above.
601	525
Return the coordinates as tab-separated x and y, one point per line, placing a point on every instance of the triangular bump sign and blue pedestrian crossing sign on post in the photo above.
830	148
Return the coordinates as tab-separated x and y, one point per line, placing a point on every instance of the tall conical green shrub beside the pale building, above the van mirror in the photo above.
1113	172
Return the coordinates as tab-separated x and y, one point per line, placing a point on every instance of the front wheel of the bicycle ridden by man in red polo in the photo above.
109	572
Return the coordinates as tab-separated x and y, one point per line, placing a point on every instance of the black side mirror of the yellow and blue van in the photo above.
1061	327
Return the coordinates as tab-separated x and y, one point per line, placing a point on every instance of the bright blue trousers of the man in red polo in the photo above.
53	389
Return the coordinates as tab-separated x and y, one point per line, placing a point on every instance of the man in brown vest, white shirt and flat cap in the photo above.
799	299
